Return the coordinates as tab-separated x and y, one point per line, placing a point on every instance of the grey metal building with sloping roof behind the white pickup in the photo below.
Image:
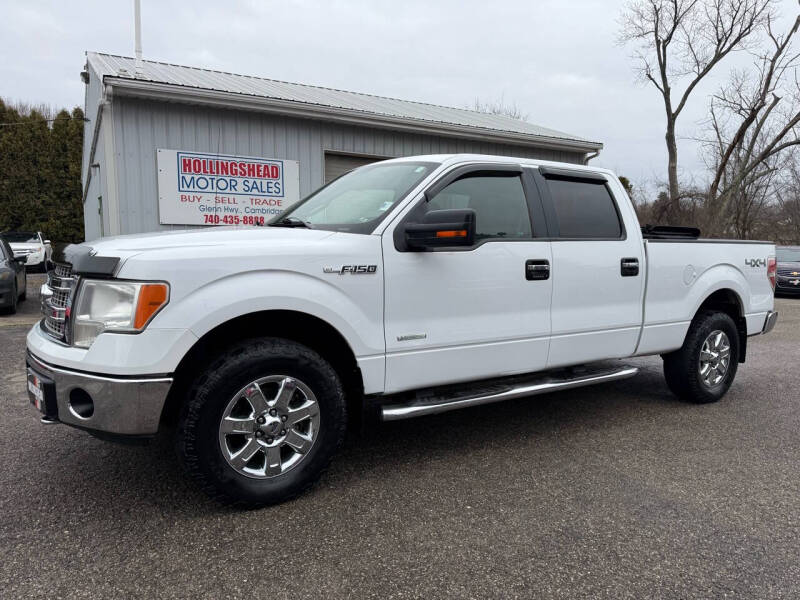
137	122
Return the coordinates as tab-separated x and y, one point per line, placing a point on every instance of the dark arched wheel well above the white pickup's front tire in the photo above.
301	327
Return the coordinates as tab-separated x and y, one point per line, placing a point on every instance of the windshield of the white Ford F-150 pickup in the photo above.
357	201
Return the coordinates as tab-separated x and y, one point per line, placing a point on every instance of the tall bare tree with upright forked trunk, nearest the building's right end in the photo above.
679	42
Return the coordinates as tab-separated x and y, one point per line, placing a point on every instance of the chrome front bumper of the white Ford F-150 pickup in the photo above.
126	406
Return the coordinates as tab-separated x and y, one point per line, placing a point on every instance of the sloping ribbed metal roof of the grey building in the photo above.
121	70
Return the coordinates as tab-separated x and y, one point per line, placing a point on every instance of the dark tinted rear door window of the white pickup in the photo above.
584	210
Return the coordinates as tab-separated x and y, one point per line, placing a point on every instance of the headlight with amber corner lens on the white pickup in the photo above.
123	306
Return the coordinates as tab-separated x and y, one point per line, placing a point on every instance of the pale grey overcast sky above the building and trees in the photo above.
557	60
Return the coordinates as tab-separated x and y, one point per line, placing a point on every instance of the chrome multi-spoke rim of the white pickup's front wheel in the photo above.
269	426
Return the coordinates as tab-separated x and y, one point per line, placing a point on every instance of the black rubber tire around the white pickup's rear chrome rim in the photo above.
682	367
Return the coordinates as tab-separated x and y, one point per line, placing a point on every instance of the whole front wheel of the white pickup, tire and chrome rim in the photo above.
262	423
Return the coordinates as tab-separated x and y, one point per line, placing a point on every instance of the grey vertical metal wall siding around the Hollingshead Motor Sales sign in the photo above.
143	126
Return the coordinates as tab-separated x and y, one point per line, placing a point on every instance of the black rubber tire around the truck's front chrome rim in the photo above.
198	427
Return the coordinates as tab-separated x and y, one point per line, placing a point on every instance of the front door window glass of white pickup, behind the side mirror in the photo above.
499	203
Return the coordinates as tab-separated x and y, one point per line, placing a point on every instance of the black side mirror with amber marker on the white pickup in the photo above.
442	229
